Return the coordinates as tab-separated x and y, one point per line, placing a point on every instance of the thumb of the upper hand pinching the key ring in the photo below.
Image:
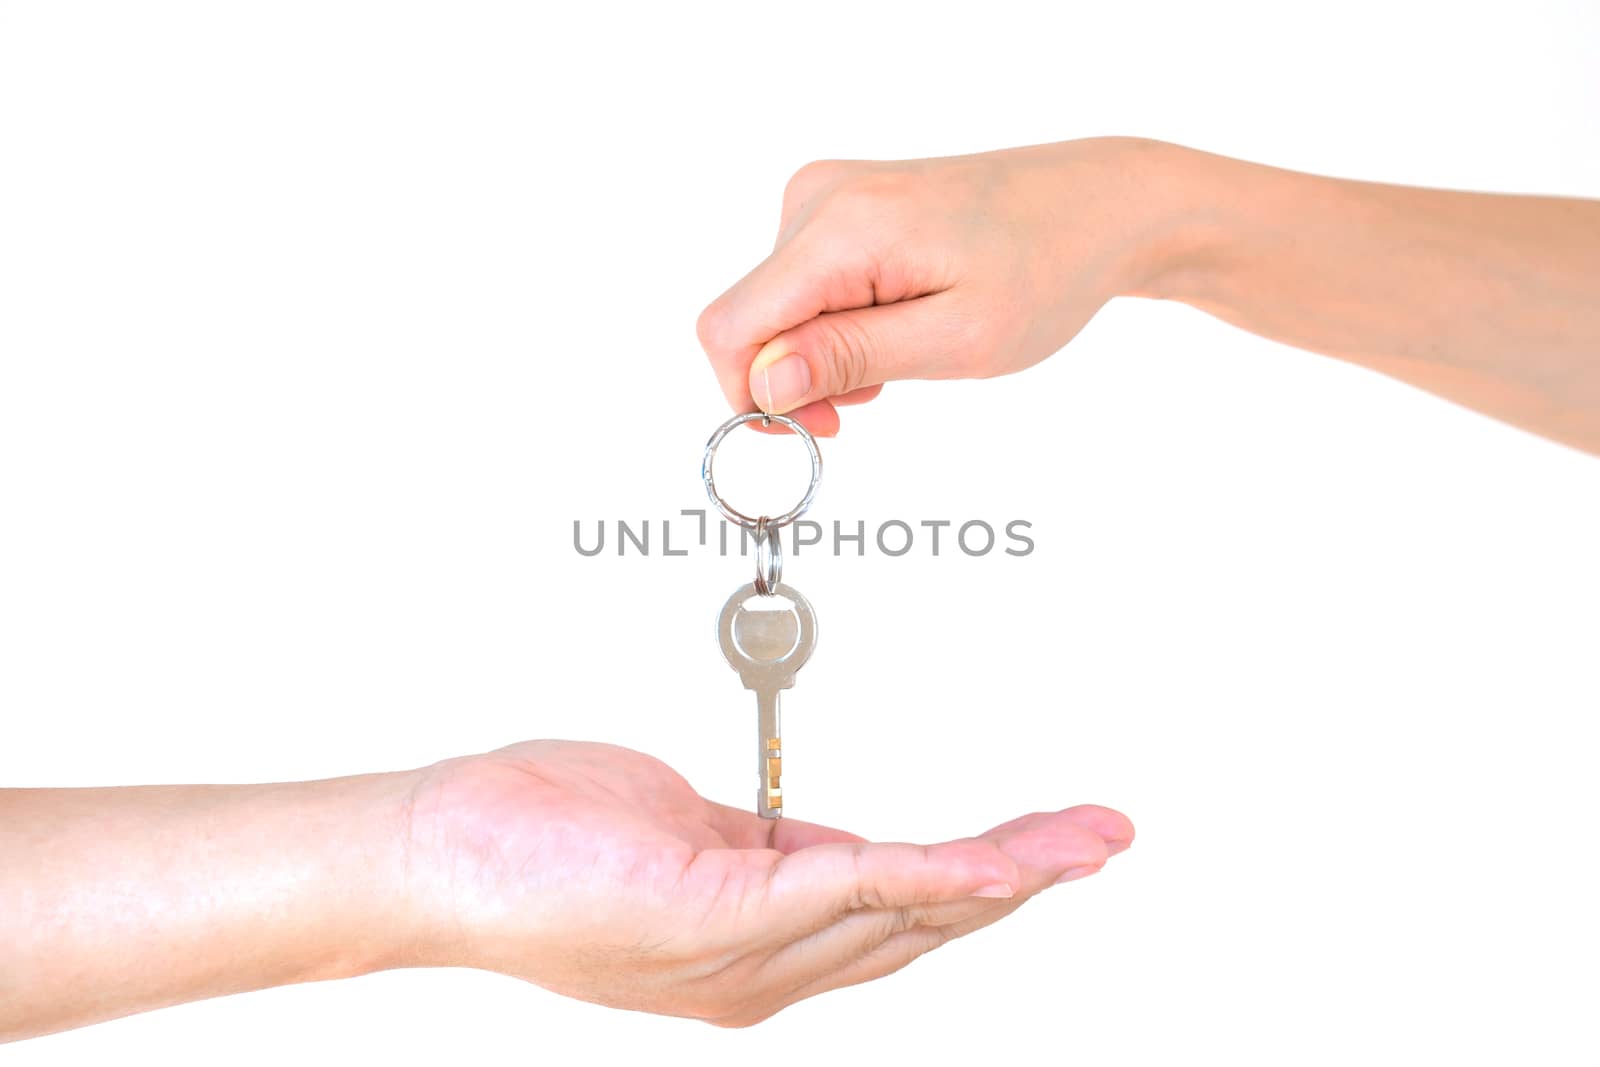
841	353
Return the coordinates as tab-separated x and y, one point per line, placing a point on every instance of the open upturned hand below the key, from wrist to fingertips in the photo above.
599	873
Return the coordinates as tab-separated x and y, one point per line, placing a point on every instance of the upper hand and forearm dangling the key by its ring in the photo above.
986	265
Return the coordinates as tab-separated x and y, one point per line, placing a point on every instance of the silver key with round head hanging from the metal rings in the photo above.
767	649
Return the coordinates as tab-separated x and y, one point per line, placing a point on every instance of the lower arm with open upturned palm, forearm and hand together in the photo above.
588	869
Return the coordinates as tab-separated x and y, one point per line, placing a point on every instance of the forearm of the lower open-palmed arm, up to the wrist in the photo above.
116	901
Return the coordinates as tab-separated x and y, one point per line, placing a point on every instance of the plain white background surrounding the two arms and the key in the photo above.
322	322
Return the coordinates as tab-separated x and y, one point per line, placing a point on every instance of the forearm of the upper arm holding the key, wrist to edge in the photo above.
1492	302
